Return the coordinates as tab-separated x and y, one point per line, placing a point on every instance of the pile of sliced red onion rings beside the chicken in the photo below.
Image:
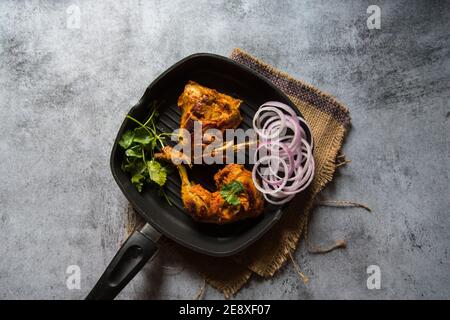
288	164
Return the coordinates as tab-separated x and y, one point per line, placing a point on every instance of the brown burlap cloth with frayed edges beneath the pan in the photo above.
329	121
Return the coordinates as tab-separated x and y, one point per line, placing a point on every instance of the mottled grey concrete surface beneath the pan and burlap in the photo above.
65	91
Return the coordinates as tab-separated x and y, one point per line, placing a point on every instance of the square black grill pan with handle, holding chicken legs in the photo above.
226	76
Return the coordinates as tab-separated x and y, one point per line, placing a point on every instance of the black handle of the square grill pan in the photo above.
131	257
